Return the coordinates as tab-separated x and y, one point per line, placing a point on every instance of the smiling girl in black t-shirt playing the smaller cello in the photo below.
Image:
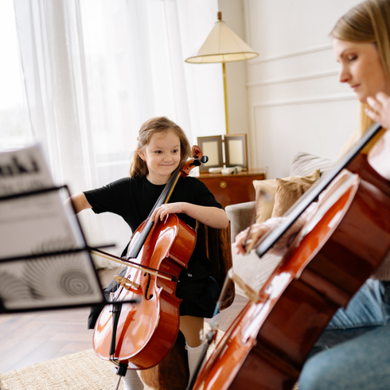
162	147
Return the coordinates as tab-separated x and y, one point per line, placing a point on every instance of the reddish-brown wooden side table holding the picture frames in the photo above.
234	188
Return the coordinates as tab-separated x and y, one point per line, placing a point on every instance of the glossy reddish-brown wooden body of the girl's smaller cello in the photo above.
167	248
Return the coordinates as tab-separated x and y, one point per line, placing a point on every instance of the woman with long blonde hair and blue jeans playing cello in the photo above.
356	344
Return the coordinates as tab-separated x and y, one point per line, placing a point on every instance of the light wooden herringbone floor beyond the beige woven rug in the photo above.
36	337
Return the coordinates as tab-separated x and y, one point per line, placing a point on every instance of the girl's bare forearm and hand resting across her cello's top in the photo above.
210	216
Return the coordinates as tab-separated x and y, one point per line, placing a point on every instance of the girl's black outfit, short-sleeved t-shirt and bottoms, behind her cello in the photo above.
134	198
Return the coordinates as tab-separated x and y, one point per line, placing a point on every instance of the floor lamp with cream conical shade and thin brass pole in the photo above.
223	45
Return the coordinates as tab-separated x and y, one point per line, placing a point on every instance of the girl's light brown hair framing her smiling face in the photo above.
152	126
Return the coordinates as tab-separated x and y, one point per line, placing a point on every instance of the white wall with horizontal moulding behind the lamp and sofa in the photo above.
294	100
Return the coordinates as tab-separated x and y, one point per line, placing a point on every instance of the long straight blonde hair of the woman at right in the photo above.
367	22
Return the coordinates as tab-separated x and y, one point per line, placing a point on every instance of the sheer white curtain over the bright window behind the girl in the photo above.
95	70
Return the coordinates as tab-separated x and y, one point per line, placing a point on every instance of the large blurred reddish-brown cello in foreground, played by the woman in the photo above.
331	257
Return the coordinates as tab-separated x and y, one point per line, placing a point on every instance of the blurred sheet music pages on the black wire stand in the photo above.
34	224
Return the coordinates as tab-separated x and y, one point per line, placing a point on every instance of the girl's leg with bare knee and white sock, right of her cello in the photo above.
191	327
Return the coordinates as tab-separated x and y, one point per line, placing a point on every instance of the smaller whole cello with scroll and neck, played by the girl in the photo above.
139	336
